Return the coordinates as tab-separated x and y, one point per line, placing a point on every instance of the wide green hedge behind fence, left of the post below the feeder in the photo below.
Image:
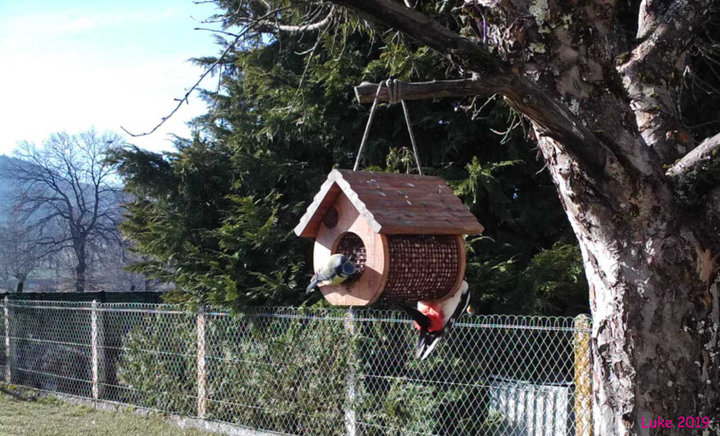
286	375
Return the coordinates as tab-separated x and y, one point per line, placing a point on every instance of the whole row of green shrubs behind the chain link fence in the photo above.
290	371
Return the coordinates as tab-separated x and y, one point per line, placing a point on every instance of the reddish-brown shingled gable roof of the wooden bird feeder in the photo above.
393	204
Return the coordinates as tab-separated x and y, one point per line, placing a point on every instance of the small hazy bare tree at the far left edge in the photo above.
20	255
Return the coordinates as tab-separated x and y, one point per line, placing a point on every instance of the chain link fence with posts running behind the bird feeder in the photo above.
304	371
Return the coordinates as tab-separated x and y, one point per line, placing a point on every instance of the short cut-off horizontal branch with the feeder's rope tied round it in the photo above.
365	92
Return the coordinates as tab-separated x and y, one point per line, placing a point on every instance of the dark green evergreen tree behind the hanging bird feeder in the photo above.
216	217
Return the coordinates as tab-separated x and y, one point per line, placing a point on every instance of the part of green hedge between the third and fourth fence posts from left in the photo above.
286	375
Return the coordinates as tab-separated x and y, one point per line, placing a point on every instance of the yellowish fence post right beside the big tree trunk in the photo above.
583	376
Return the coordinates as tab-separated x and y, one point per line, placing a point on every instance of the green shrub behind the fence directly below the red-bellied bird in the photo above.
444	394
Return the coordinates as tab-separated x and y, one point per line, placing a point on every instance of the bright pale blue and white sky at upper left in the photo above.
72	65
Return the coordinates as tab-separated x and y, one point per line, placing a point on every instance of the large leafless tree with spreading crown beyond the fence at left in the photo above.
70	194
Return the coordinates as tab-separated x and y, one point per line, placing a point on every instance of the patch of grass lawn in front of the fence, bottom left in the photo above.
25	413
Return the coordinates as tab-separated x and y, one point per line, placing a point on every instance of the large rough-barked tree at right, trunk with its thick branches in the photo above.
603	132
